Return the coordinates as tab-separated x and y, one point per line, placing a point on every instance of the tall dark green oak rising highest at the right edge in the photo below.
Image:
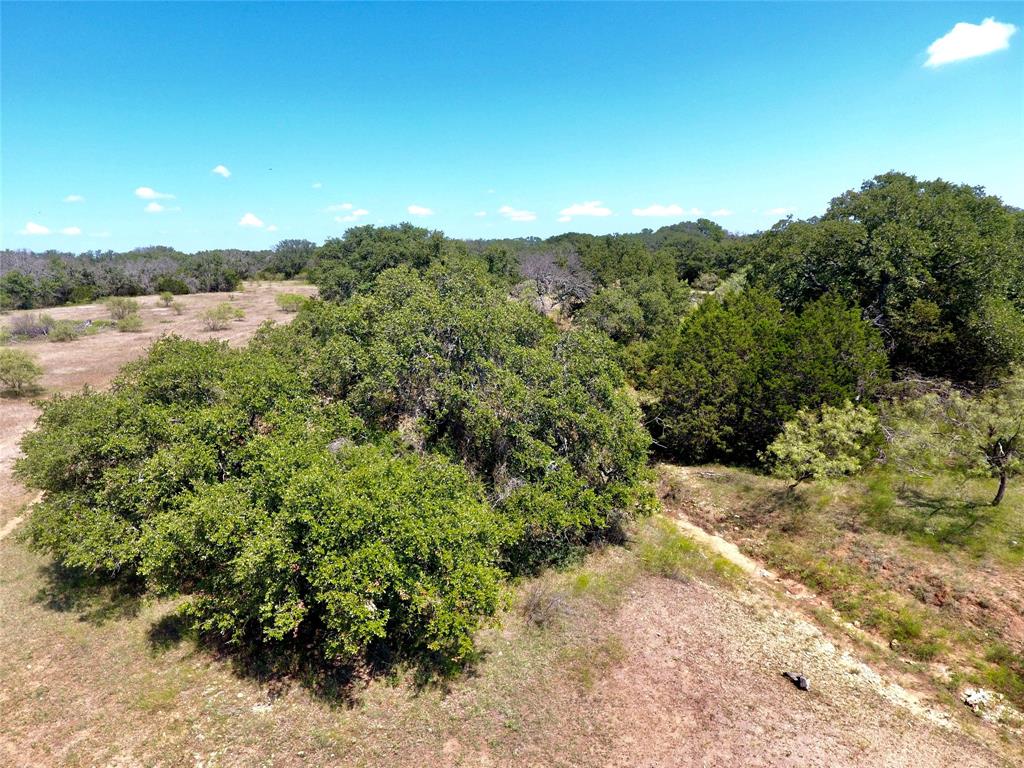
935	266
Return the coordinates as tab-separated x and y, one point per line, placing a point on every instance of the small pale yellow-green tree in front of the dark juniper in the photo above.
831	443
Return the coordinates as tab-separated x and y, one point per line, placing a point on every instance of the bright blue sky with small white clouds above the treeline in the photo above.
493	120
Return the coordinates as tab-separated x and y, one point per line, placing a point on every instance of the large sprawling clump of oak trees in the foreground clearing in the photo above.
364	478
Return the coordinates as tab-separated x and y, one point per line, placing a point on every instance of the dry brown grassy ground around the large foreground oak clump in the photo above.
642	671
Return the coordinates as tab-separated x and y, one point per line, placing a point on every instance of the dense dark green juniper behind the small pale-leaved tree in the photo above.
740	367
